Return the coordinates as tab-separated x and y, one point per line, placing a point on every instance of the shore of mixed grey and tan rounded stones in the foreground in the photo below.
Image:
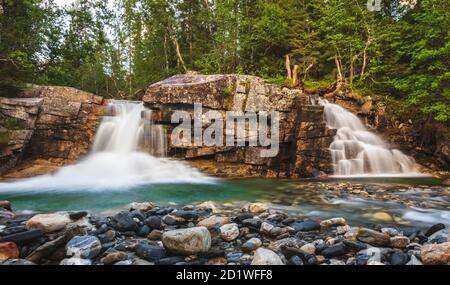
193	235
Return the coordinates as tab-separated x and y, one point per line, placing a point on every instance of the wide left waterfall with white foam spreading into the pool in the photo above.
128	152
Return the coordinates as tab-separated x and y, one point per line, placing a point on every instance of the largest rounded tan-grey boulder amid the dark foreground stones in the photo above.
187	241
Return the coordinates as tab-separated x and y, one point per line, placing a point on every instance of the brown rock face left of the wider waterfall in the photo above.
51	123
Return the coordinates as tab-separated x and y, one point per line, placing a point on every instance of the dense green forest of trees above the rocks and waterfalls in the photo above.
118	48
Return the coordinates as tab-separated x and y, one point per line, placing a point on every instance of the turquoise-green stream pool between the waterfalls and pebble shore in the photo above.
418	202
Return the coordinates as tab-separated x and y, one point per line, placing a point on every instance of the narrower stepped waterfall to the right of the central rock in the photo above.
356	151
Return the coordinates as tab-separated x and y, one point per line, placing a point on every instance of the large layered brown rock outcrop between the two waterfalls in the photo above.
304	138
